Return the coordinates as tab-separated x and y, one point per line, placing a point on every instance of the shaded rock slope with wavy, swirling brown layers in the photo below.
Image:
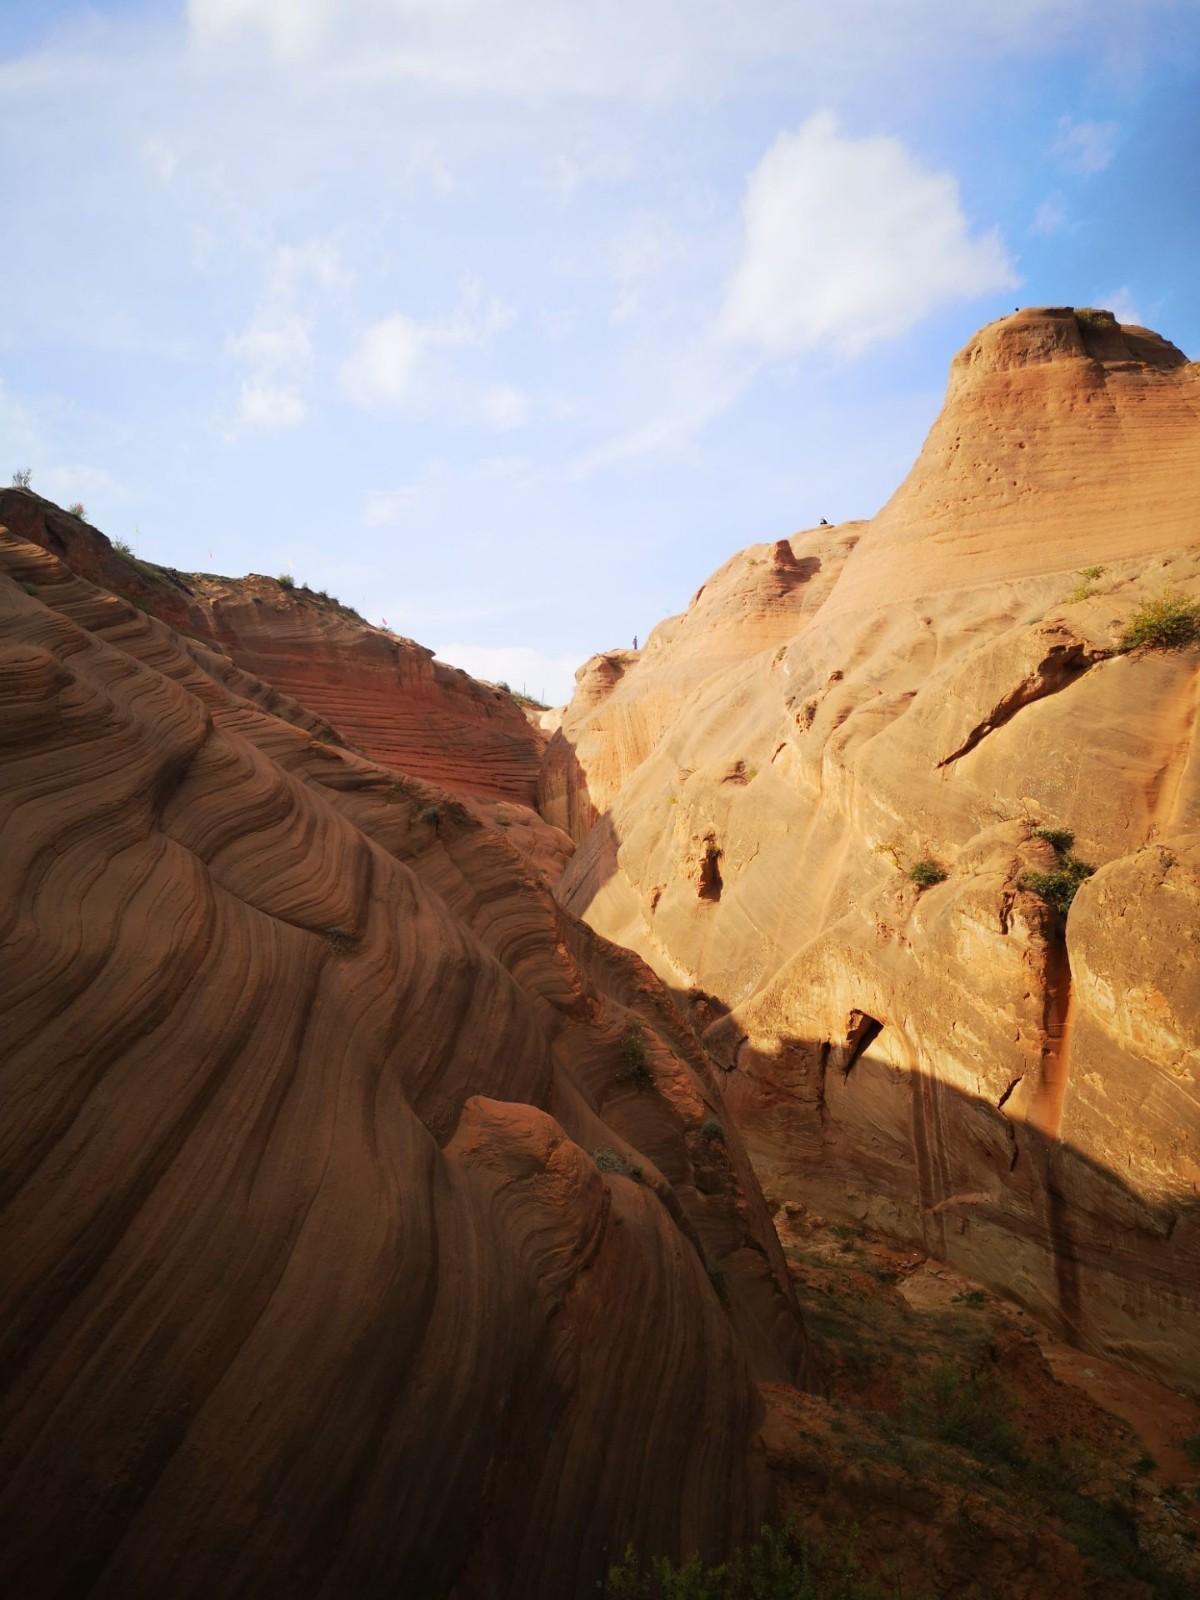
348	1246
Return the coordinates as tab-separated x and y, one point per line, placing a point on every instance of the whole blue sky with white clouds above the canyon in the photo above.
508	322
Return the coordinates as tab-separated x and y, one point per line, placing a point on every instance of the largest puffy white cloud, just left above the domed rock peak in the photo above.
849	242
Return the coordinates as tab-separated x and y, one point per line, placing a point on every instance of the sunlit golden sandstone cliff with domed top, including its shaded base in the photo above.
814	802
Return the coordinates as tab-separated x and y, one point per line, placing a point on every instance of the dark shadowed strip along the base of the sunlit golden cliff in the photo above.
1106	1266
